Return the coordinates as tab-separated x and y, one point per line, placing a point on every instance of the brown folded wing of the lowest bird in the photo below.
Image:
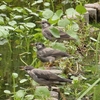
46	75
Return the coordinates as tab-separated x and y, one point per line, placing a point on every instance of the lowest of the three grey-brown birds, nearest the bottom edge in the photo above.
45	77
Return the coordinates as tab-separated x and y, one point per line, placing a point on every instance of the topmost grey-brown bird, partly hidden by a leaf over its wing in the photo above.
48	35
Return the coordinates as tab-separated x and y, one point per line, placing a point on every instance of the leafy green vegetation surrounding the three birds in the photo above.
19	28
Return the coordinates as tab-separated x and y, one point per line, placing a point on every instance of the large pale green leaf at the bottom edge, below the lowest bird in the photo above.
41	92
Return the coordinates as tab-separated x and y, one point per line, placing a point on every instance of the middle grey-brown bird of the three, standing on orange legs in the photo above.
47	54
